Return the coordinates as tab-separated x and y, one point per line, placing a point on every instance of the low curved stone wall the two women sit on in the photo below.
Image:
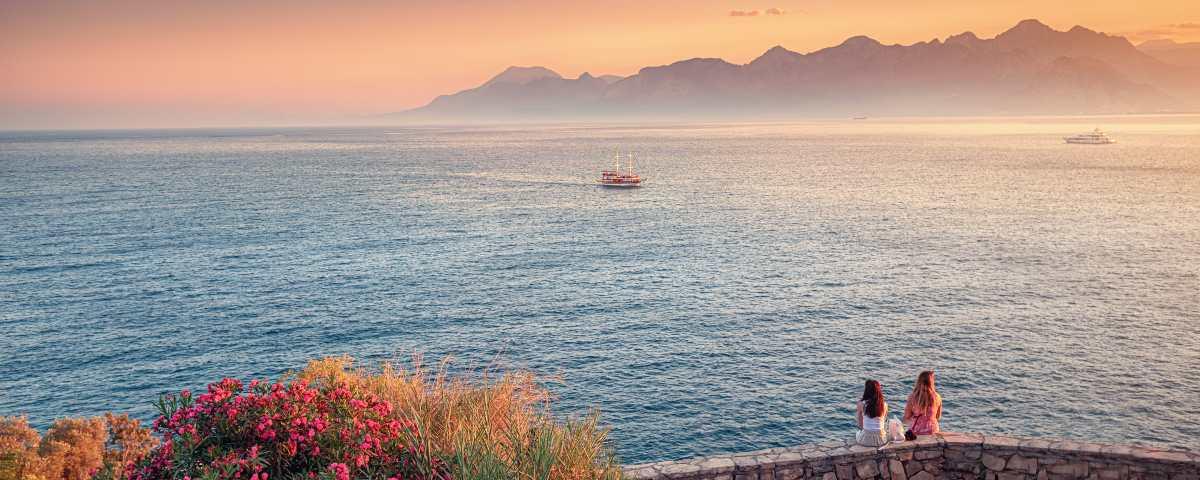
946	457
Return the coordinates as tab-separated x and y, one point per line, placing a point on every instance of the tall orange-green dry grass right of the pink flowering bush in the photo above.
497	427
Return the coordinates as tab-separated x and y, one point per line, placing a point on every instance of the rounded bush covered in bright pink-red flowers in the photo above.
285	431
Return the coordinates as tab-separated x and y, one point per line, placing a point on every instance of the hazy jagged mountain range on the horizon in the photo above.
1030	69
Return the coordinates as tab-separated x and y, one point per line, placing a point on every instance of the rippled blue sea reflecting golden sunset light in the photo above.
735	303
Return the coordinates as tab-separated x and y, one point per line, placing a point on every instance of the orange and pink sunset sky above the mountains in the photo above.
77	64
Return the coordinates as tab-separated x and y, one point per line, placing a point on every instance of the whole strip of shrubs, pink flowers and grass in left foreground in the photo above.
328	422
